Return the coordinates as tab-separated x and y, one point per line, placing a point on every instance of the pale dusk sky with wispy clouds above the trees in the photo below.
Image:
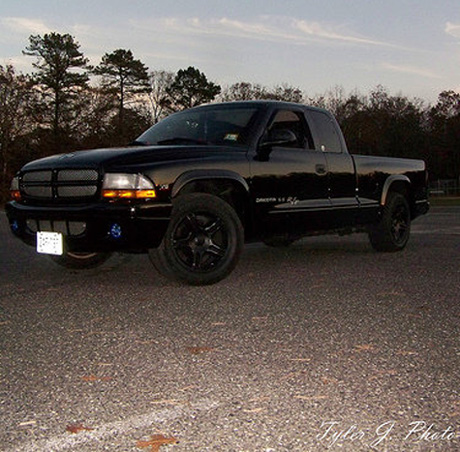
410	47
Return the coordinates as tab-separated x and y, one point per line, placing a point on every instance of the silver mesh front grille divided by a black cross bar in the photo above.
70	185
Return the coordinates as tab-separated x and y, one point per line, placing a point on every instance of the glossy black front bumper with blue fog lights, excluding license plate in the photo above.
94	227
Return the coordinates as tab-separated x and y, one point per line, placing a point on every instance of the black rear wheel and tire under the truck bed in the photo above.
392	232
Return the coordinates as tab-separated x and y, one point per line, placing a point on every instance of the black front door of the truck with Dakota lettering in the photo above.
289	182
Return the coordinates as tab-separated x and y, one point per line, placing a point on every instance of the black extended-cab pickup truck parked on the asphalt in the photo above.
194	187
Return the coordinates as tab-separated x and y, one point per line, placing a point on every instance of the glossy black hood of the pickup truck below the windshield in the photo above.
130	156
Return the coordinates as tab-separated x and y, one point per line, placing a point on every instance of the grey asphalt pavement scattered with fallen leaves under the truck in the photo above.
325	345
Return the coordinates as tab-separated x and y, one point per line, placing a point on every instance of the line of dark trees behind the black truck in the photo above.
66	104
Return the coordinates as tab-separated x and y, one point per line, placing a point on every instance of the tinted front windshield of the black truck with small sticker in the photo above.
222	126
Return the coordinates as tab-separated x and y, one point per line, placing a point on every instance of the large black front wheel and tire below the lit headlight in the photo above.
203	241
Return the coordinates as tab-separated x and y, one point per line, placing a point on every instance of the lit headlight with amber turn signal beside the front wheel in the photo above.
127	186
